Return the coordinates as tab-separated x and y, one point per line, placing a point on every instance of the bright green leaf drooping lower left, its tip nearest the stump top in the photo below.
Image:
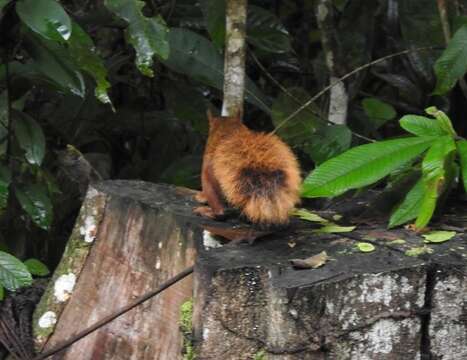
409	208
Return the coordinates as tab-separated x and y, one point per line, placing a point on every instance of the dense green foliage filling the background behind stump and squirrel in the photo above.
127	83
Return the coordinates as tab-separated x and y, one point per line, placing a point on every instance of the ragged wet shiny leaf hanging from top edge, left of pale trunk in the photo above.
147	35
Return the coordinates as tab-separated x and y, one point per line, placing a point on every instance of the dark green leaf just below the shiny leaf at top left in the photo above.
52	60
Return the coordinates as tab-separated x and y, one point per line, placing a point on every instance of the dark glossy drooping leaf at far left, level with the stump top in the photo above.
35	201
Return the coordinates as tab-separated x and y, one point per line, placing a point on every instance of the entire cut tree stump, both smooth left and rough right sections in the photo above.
248	299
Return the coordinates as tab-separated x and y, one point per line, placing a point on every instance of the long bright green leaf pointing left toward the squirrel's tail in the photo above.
362	165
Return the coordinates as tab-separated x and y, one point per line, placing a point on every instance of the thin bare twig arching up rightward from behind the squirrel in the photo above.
360	68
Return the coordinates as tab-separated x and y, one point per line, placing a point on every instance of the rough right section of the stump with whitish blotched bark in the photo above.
384	304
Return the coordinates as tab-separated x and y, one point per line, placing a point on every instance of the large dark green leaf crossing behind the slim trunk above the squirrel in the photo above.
193	55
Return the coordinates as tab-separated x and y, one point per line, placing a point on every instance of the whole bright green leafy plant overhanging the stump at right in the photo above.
435	154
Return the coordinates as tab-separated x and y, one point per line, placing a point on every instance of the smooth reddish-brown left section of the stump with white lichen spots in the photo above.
130	237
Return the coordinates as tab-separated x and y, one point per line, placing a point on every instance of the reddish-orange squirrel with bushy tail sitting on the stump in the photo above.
256	173
